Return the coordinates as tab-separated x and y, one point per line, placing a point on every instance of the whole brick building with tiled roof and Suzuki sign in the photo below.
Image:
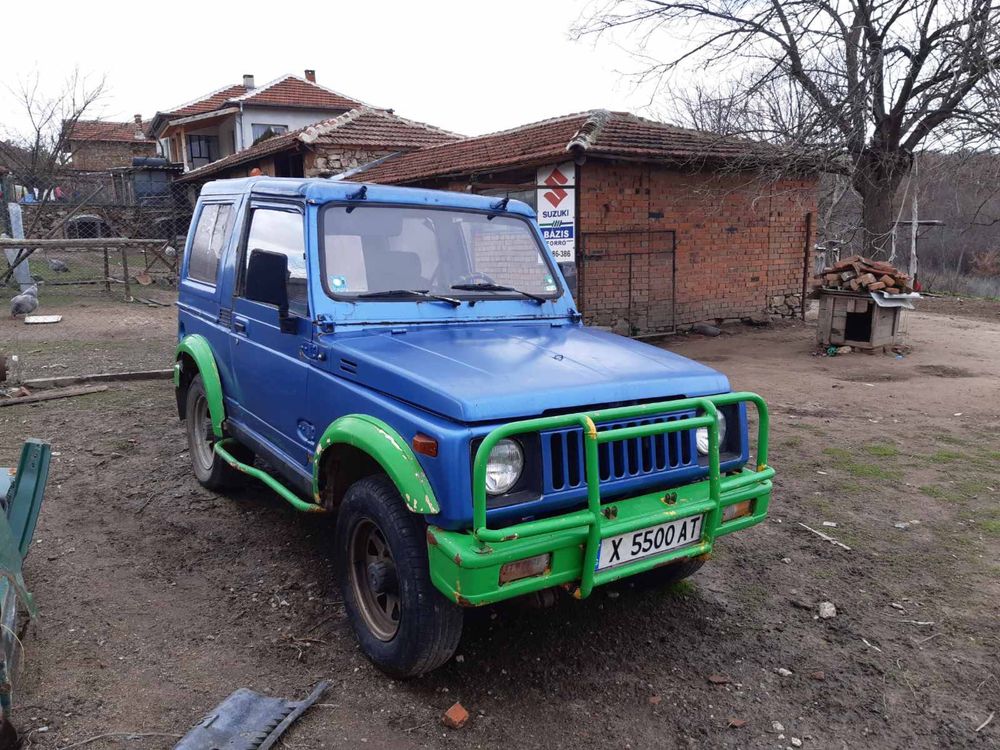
663	226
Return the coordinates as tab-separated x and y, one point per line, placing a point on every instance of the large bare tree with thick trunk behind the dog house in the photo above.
859	85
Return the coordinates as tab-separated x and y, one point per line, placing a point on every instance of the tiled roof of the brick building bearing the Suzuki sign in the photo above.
597	132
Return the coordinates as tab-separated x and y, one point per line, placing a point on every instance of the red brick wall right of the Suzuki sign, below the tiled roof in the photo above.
739	244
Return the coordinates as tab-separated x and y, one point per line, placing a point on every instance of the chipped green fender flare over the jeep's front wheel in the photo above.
389	449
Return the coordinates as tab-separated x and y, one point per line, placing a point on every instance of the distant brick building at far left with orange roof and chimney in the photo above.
97	145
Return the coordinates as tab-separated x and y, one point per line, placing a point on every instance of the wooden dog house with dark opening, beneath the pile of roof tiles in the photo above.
854	319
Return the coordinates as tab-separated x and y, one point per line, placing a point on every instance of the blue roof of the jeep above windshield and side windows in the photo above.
320	190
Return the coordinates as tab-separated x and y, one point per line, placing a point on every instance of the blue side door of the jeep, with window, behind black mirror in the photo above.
269	369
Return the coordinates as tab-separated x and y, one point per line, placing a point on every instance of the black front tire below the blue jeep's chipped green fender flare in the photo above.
429	626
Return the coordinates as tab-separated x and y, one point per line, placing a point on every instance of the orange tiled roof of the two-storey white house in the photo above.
286	91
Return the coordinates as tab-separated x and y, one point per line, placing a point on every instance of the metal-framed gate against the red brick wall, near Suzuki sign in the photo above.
627	280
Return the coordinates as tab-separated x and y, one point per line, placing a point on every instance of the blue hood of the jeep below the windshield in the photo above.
492	372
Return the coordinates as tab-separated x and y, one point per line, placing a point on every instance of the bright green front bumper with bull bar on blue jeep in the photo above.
465	565
